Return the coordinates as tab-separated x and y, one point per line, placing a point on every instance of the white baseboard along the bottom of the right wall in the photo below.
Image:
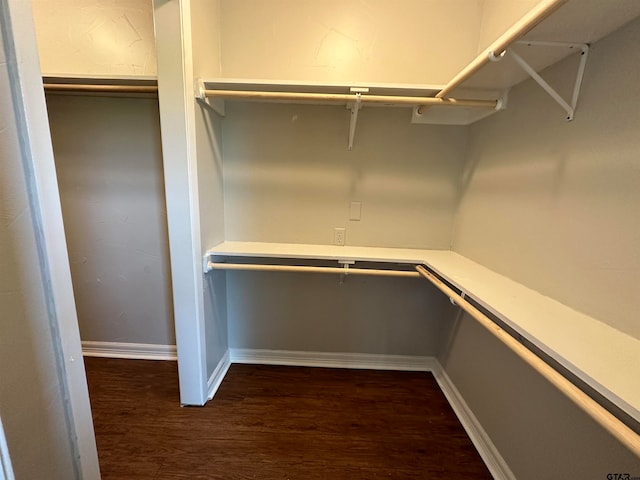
486	448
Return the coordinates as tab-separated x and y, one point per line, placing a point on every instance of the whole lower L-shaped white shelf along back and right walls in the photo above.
603	357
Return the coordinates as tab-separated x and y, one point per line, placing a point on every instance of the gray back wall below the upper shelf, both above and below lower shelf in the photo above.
289	177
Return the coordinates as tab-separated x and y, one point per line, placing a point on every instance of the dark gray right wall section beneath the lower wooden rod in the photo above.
539	432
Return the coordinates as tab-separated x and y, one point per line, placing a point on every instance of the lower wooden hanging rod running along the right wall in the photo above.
606	419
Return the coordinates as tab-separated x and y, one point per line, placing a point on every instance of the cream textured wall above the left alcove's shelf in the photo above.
95	37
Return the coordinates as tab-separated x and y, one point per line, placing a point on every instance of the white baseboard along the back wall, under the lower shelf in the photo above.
332	360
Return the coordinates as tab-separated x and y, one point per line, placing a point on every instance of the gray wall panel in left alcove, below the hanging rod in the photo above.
109	163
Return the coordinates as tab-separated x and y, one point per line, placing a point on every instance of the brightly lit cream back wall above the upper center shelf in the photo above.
408	41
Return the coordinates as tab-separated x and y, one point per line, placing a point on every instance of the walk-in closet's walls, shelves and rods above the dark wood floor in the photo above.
415	185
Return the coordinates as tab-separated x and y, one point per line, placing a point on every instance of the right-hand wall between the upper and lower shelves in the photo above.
554	204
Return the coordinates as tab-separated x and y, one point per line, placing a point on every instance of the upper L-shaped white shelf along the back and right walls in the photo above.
576	22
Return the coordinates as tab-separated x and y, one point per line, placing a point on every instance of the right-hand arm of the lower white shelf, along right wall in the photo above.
605	358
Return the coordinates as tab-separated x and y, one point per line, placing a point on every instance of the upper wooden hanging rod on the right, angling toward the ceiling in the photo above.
523	26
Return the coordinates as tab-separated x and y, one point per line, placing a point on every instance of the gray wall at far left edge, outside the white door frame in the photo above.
31	397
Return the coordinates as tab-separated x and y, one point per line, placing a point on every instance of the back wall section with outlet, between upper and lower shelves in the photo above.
289	176
